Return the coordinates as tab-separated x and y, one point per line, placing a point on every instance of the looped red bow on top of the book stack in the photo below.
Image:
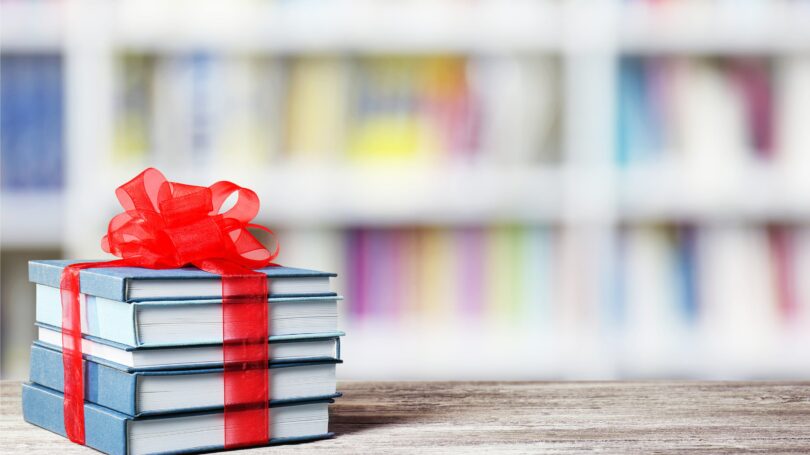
157	209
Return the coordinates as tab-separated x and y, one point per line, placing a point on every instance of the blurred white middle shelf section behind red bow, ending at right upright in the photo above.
295	195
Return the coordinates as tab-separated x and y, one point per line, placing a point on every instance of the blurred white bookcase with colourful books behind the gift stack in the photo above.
527	189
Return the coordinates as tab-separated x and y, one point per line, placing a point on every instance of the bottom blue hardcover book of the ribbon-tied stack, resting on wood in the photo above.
114	433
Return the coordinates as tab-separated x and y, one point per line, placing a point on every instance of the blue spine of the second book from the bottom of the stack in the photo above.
104	386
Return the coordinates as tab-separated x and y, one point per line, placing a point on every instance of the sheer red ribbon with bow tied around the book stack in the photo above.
169	225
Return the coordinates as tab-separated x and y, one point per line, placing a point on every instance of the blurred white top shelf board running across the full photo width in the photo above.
370	26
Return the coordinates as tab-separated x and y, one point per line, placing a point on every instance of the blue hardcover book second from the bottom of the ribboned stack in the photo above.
137	393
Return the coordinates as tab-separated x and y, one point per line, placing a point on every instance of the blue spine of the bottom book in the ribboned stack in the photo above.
106	431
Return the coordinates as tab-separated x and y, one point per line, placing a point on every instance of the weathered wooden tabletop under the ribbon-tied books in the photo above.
528	417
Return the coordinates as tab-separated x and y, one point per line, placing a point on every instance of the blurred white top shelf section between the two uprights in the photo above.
365	26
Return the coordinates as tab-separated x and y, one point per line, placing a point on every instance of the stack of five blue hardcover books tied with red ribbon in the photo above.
152	344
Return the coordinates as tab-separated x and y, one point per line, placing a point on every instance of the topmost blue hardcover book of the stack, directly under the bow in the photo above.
128	284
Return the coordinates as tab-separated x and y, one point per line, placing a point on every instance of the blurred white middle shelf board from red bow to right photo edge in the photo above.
350	195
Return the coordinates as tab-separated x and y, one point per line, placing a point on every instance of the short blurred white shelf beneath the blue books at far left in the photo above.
31	220
